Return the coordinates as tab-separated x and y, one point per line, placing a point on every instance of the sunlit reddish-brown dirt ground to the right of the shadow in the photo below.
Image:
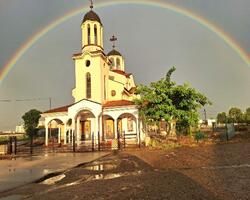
223	170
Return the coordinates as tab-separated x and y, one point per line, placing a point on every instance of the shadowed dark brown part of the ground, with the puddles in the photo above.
118	176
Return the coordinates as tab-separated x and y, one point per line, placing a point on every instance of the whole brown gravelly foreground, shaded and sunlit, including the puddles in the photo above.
206	172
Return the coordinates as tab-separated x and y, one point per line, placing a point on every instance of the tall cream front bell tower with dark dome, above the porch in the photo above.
91	64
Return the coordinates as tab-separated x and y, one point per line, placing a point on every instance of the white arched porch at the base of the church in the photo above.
89	123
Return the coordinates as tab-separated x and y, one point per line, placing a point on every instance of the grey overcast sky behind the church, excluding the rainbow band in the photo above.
151	39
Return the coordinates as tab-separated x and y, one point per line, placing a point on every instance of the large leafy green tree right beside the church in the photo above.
164	100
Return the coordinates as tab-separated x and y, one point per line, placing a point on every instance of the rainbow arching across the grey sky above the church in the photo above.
154	3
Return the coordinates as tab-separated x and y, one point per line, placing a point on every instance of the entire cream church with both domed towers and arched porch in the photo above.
103	95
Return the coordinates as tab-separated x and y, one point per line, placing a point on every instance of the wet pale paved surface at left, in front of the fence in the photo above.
14	173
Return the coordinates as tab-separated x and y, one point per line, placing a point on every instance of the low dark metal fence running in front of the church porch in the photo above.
14	146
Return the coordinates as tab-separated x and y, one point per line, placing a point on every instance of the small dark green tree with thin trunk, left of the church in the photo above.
31	120
